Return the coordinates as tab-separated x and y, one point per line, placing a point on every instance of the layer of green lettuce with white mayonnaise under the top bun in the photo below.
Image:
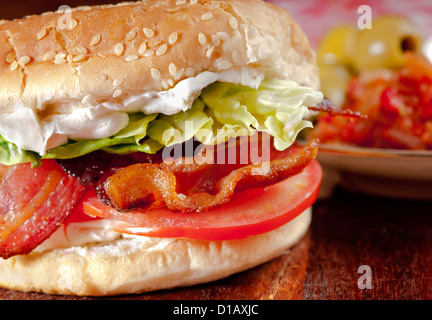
210	107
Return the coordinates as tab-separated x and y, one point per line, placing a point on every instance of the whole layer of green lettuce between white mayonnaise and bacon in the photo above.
222	111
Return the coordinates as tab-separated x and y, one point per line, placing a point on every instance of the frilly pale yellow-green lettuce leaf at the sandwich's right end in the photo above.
278	107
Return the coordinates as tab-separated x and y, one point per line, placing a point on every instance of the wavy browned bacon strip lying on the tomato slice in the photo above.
152	186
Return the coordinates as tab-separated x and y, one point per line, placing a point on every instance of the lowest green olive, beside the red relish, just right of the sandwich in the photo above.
334	81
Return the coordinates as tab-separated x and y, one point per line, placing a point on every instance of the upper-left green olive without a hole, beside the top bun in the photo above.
337	47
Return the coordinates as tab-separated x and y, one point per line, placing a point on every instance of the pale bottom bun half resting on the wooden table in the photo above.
134	264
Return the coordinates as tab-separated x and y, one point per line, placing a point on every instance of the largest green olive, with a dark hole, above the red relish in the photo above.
383	45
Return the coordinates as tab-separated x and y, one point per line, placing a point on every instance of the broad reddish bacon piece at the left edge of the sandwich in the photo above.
34	202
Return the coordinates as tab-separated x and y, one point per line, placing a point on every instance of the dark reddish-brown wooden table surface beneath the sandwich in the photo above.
392	237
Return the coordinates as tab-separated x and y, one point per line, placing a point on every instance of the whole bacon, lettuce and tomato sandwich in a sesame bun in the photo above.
152	145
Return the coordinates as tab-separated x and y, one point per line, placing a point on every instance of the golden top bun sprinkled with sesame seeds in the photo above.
113	51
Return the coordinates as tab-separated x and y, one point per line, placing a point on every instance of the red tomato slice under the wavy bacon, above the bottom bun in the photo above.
252	211
